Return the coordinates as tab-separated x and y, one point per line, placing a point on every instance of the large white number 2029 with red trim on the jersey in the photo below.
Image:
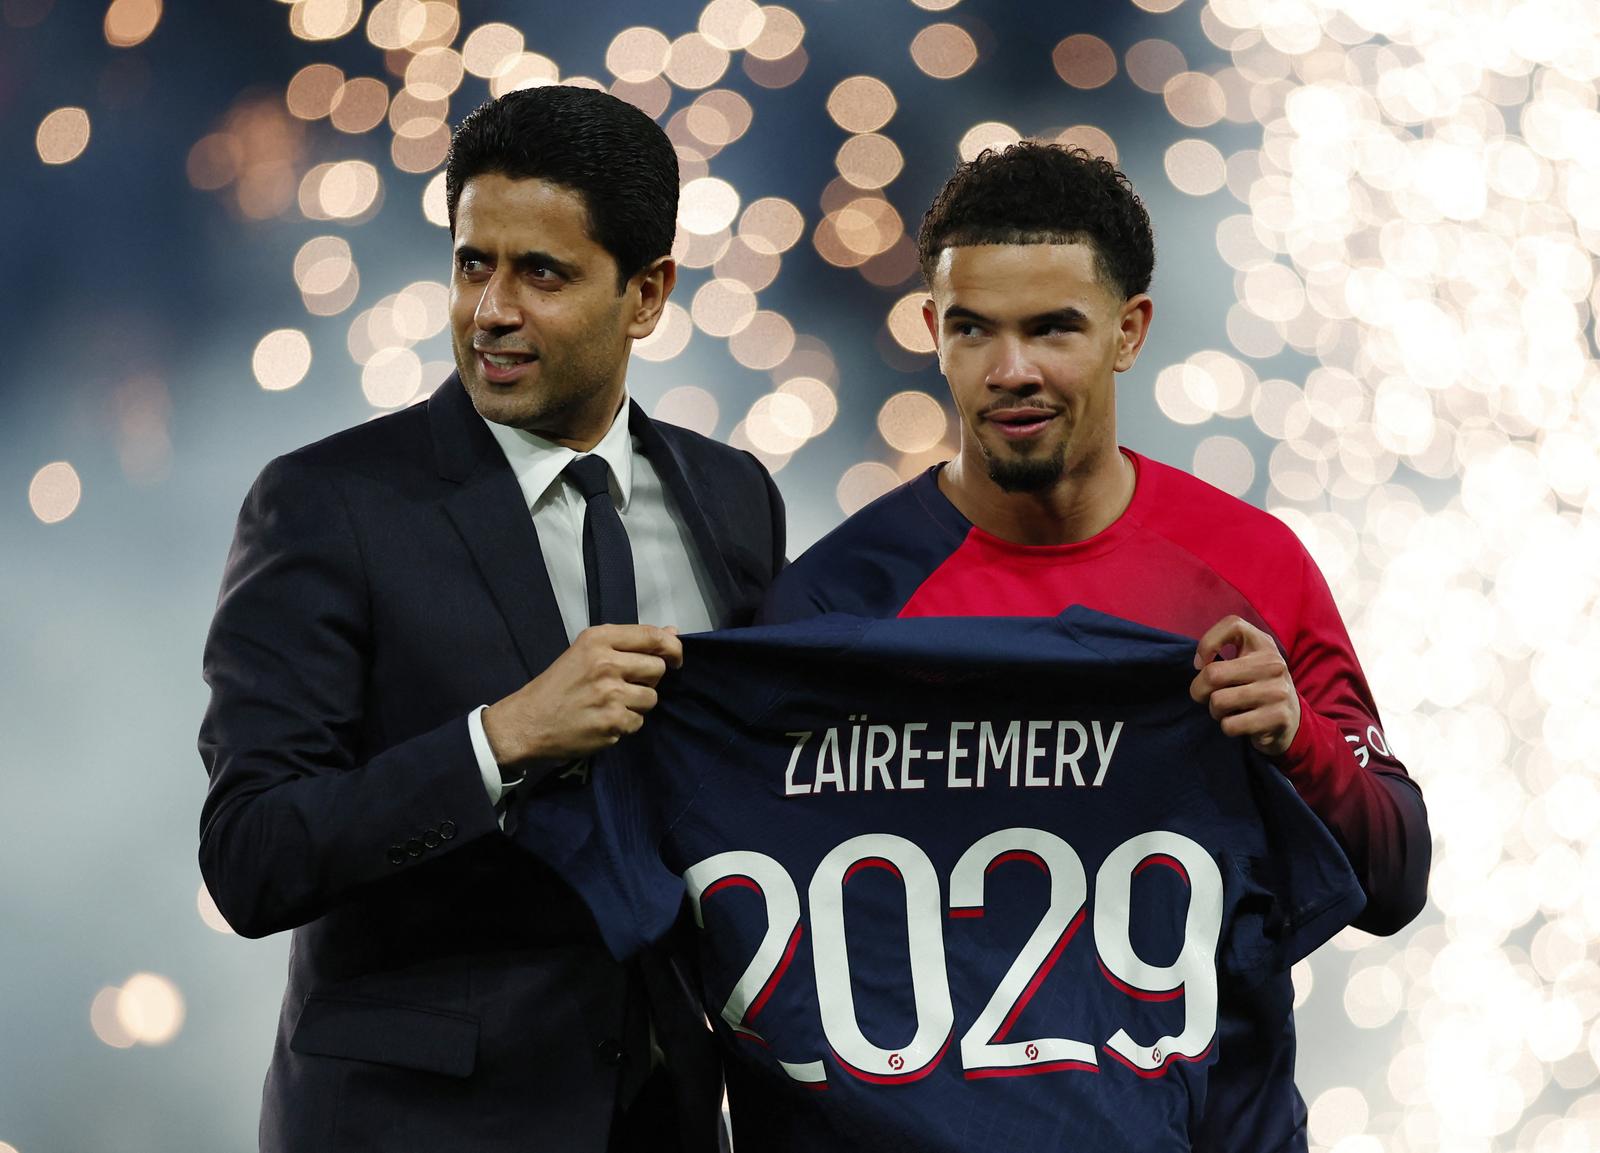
985	1050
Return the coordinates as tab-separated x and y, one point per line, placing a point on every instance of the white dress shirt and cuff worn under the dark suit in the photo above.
668	572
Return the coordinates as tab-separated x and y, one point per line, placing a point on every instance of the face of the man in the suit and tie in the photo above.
540	332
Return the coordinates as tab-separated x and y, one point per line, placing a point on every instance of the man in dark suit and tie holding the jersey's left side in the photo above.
409	648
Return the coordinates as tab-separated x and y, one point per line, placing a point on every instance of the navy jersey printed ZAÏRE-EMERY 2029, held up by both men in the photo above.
962	884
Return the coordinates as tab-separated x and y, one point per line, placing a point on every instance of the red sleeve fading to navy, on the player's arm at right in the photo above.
1340	760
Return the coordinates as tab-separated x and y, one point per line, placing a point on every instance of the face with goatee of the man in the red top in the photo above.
1031	340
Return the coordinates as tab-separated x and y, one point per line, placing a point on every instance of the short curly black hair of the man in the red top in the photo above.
1044	194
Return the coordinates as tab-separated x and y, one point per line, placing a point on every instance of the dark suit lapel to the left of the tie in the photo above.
492	517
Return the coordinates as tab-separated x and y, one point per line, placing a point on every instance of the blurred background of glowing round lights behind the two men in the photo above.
1377	225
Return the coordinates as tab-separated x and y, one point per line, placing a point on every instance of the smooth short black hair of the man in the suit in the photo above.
601	148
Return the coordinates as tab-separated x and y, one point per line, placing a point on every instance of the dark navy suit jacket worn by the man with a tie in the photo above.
446	989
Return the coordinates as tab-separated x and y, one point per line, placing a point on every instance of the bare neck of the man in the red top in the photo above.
1073	509
